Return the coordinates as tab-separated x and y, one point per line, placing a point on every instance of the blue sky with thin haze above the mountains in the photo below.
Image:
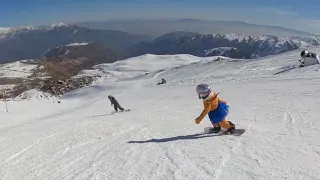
301	15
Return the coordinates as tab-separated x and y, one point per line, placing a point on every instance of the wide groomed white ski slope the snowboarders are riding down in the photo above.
158	139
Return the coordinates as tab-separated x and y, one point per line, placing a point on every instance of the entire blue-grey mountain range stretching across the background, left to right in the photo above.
33	42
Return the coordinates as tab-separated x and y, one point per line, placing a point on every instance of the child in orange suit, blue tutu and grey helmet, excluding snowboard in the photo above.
216	109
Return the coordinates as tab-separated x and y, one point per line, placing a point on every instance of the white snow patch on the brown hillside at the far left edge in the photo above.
17	69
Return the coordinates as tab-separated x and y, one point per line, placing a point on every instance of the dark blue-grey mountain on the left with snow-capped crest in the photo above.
31	42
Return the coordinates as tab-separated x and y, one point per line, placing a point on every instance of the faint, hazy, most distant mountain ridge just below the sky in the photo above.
163	26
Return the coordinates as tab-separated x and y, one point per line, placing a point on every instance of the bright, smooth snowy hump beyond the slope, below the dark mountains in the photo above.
151	65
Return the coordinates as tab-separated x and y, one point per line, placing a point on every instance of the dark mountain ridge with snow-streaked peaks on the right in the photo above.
230	45
